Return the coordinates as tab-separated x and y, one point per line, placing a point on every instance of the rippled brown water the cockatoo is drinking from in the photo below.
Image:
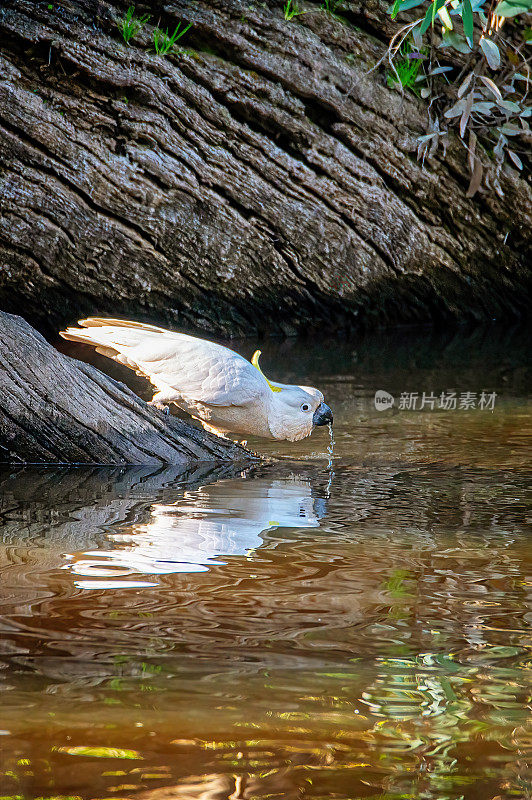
342	624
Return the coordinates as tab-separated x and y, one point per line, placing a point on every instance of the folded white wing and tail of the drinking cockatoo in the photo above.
198	370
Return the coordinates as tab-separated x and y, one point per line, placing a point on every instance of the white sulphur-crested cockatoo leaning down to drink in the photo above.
228	394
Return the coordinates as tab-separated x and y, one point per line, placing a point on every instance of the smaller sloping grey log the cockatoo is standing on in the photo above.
54	409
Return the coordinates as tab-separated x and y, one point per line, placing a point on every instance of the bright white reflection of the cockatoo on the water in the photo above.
191	535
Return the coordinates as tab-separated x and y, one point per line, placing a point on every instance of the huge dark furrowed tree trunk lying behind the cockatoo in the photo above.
261	180
